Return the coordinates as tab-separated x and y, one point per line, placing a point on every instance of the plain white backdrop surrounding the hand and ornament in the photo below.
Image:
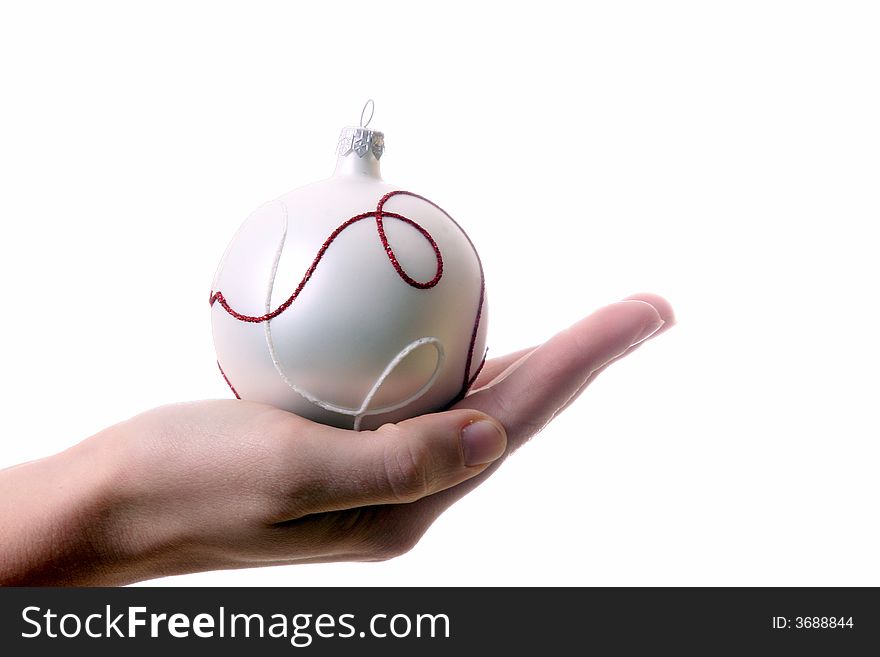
725	155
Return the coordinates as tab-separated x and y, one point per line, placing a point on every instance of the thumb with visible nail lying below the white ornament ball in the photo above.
397	463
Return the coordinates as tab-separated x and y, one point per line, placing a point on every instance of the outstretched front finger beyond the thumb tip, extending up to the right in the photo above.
544	382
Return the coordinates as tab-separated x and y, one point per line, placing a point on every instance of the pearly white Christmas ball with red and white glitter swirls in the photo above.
349	301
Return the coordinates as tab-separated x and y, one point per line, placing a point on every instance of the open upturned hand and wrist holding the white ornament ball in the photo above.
234	484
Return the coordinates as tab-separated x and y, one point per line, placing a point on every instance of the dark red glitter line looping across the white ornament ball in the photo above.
380	214
